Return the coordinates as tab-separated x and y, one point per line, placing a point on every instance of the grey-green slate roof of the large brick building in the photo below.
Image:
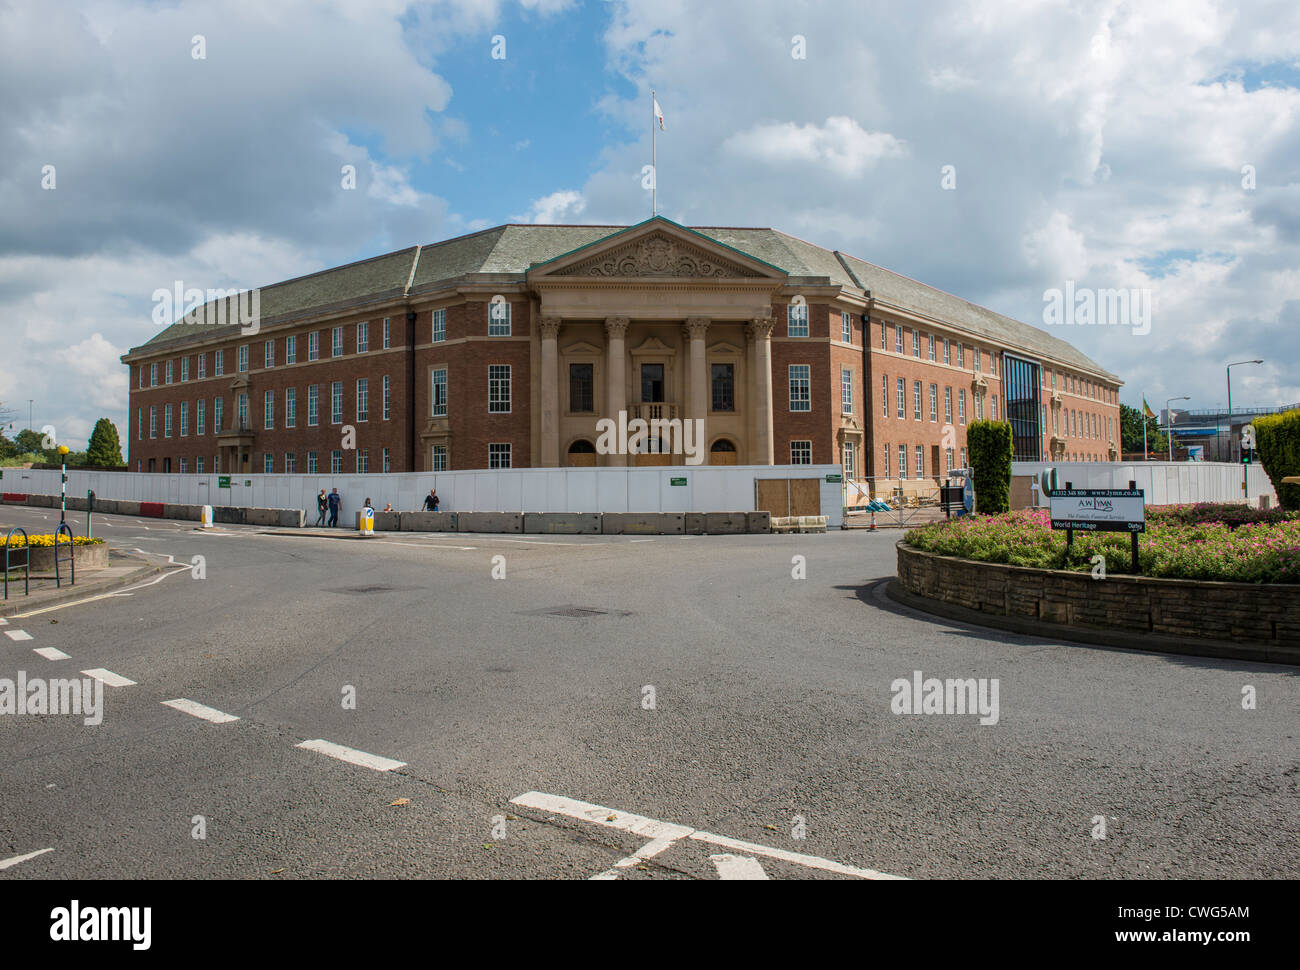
512	250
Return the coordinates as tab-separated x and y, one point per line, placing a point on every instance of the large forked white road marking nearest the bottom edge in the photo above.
666	834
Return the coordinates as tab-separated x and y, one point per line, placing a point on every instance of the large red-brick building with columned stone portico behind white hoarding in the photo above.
505	348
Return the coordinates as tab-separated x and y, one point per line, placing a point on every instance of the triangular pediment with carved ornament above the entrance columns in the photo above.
657	249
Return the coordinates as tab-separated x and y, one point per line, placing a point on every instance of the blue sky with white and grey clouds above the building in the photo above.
1149	146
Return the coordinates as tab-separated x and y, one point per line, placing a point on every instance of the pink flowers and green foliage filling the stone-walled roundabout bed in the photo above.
1234	544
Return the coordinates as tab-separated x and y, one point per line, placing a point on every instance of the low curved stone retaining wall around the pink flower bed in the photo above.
1241	613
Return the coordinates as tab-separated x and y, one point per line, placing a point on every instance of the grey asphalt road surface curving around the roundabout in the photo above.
770	724
